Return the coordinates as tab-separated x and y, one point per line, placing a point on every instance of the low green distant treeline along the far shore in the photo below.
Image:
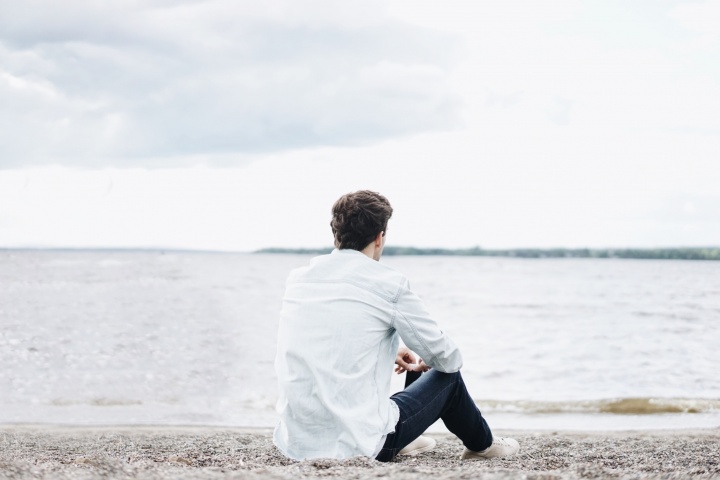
642	253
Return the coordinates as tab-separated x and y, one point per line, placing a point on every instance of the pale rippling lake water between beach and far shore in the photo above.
189	338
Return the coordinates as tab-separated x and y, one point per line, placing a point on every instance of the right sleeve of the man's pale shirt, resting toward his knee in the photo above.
423	335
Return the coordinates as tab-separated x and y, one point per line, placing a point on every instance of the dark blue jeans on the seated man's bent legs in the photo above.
431	396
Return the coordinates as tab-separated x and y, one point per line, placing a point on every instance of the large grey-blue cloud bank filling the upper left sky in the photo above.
119	83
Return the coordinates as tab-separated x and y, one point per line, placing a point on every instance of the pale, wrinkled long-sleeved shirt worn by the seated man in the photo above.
337	342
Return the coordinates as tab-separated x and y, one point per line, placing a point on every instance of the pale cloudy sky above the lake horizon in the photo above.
234	125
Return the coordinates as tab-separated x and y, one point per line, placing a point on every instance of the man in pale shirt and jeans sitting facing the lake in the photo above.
340	324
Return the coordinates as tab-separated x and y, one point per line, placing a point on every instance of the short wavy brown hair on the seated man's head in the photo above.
358	218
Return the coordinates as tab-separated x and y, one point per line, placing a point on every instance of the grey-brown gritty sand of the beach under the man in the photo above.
209	452
